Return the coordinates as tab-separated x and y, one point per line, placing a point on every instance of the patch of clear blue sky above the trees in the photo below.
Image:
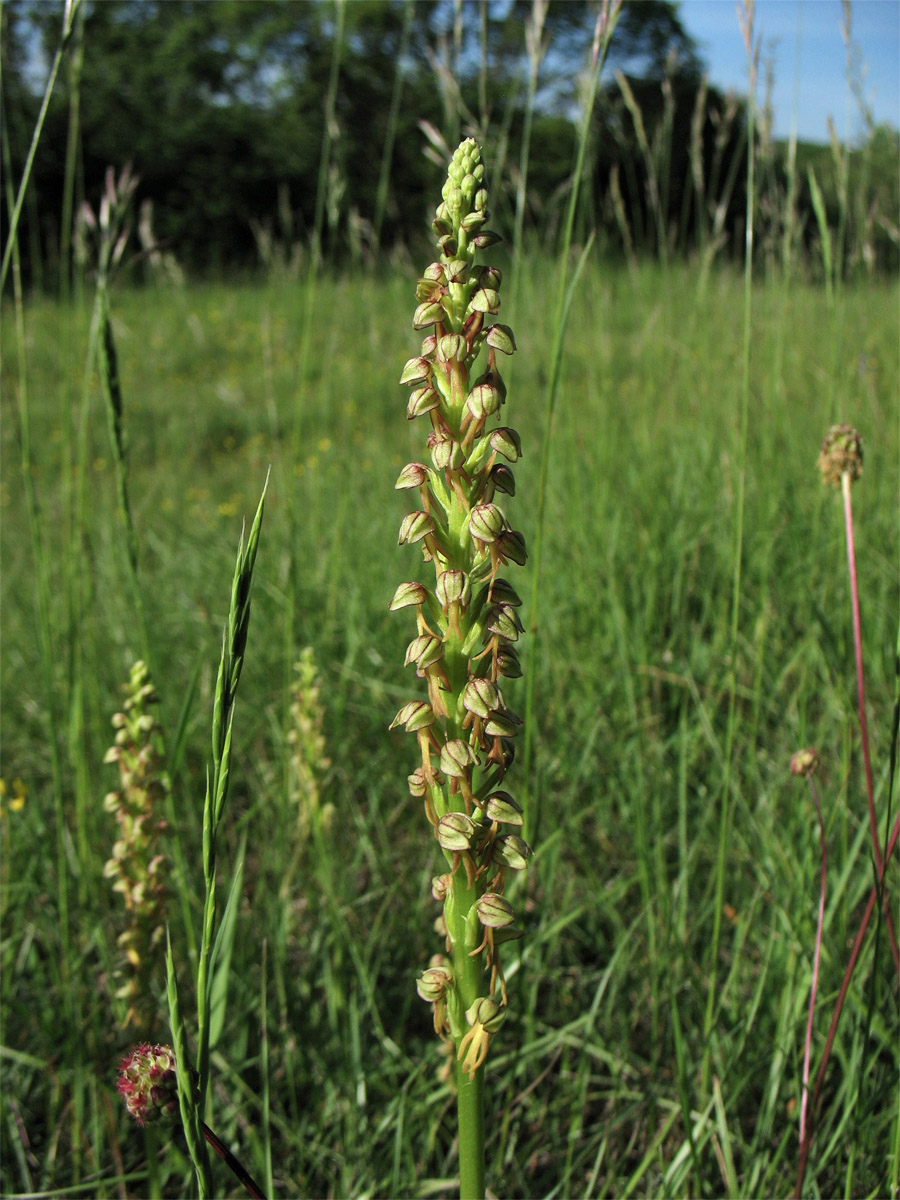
803	39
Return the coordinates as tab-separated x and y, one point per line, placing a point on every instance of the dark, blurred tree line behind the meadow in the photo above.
262	125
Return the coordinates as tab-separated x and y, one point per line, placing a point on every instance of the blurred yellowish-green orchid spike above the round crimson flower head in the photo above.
137	867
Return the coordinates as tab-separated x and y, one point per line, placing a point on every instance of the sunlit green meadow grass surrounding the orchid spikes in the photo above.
596	1084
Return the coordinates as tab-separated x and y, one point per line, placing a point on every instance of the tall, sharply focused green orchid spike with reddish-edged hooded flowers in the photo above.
467	628
